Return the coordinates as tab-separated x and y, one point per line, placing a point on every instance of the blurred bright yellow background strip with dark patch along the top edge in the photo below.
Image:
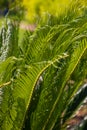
31	10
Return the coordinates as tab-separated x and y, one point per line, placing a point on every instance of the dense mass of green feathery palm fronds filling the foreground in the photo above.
41	77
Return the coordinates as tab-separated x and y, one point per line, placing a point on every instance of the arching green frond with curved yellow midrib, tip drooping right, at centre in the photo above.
24	87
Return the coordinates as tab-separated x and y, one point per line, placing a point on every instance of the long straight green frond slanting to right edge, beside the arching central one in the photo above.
46	118
